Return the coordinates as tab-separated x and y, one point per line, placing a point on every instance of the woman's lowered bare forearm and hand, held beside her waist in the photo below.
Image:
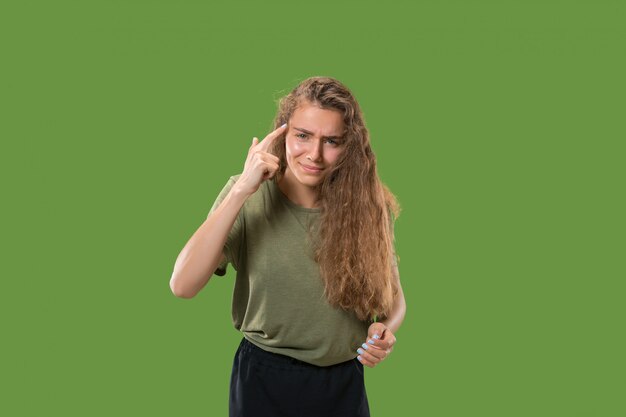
380	335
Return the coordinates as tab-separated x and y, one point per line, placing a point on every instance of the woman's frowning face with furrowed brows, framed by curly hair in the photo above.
313	143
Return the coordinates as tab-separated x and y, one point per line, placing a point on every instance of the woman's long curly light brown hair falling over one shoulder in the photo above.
354	241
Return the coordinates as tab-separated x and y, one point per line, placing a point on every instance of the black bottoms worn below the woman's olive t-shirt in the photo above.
267	384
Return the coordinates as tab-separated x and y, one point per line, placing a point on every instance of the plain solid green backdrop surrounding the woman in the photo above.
498	124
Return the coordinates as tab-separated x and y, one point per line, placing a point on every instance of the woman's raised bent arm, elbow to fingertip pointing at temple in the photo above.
204	251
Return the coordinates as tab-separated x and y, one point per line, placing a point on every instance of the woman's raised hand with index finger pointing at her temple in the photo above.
260	164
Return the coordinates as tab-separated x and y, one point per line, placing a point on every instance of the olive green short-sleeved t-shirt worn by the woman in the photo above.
278	299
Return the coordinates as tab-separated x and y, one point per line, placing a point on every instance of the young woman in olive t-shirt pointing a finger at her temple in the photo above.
308	226
